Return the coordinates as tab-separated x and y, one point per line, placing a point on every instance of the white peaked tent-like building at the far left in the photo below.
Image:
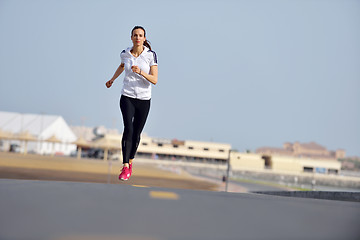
41	127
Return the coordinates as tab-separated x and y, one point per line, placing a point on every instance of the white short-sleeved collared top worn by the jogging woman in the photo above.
135	85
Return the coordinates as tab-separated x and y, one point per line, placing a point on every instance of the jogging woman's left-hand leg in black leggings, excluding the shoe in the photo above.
128	112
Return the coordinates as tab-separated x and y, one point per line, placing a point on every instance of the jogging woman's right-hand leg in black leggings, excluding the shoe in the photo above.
141	114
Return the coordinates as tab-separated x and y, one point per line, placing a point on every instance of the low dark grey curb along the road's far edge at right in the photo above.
338	196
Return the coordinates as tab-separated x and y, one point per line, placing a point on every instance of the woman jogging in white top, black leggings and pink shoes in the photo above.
140	65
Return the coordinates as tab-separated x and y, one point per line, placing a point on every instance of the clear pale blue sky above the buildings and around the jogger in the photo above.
250	73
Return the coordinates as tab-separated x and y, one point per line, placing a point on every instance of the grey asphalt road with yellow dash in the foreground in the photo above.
72	210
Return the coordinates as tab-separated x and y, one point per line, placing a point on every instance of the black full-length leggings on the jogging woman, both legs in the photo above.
135	112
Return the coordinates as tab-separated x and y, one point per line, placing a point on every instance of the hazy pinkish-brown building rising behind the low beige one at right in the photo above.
309	150
